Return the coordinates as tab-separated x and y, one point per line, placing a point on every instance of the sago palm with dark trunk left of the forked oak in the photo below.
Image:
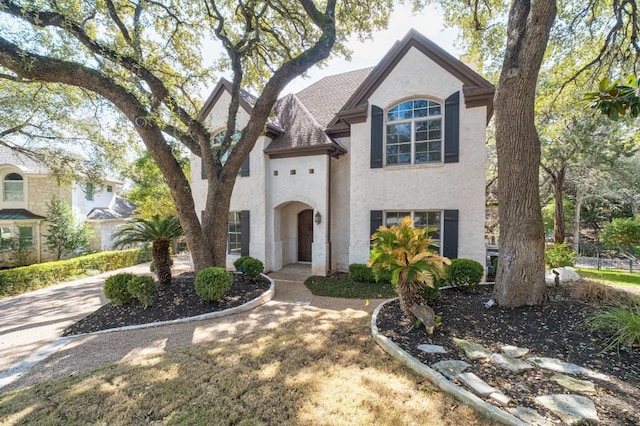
158	232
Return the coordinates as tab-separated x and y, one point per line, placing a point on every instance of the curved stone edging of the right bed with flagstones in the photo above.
488	410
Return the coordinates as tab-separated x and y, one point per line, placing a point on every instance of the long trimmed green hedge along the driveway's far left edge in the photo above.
20	280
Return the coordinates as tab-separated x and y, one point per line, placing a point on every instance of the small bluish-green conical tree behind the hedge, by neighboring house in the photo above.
66	235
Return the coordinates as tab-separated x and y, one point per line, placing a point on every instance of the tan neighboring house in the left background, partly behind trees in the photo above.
27	187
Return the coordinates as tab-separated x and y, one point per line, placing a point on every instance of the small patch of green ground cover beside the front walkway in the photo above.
342	286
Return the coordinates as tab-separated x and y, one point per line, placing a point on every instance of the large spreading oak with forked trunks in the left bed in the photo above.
145	58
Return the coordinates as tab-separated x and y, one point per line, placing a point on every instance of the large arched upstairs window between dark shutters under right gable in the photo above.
414	132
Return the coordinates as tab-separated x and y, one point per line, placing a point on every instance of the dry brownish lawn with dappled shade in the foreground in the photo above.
320	369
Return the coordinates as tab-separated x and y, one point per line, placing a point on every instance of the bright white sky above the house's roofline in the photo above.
428	21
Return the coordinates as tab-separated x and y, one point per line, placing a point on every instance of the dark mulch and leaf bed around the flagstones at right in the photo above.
555	330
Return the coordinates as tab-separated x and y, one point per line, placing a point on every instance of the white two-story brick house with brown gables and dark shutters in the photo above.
358	150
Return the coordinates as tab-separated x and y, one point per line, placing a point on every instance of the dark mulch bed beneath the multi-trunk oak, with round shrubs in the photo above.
178	300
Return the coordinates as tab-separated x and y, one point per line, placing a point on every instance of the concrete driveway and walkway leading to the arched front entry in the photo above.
31	324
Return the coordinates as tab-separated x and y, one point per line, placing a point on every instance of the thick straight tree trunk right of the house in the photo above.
520	277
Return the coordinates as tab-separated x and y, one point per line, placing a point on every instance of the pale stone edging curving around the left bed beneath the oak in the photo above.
22	367
